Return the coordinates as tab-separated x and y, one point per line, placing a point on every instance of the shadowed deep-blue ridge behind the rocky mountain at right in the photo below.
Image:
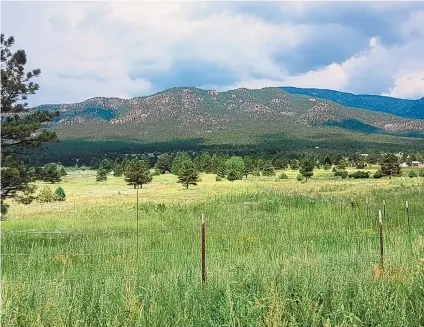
394	106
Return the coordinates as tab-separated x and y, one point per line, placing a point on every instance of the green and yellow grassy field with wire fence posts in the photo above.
279	253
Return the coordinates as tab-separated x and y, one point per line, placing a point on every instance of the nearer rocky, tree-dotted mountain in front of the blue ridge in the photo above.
268	118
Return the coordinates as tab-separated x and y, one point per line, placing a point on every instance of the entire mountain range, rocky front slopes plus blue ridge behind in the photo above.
242	116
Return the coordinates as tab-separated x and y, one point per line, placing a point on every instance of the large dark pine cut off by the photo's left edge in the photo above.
20	127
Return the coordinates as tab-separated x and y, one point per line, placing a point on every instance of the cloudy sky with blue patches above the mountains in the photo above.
127	49
